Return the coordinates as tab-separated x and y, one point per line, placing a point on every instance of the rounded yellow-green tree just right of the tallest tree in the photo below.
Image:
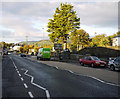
80	38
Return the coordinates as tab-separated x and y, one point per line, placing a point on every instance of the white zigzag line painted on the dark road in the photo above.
32	78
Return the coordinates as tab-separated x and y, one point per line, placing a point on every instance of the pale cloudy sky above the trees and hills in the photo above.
21	19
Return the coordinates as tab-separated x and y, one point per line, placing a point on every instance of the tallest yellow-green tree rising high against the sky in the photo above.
64	22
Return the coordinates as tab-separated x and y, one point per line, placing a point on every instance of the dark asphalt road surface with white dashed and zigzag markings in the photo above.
25	78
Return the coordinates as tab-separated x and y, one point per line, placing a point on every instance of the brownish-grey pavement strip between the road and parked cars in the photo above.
105	75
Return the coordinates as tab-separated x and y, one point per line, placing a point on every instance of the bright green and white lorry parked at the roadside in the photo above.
44	53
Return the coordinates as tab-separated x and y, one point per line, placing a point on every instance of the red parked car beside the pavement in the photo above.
92	61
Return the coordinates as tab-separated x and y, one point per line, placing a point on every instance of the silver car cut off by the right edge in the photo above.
114	64
